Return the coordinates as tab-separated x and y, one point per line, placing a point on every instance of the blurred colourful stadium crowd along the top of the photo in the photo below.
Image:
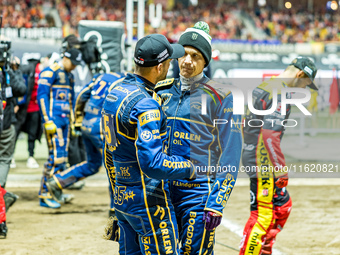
287	25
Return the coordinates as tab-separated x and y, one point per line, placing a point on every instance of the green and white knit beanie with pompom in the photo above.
199	38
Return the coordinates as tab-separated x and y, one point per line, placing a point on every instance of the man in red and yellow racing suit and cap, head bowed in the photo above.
270	203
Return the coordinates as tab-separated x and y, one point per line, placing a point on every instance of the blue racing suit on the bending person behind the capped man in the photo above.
87	111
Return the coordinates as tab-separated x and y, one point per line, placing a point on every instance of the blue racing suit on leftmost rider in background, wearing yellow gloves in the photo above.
55	95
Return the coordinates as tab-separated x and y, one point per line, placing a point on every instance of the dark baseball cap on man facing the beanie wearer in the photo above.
154	49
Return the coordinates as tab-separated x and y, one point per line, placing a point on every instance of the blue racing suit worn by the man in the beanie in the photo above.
208	146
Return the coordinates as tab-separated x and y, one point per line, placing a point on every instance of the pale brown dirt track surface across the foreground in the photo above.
77	228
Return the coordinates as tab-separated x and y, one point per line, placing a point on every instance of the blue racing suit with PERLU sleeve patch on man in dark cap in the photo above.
138	168
